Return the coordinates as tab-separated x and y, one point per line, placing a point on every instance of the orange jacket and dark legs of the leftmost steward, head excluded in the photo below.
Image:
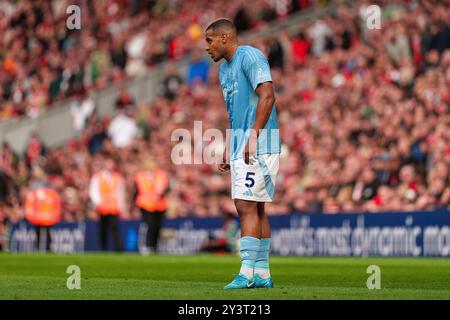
43	210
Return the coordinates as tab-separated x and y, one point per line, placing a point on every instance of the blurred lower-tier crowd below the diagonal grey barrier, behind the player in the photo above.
364	120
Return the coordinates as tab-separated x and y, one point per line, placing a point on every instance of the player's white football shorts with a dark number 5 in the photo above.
254	182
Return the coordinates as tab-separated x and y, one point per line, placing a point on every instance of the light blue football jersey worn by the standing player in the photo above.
239	79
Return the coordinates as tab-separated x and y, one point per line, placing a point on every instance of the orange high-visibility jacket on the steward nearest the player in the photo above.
151	186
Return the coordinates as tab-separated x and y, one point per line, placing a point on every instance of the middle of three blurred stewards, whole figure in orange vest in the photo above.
107	193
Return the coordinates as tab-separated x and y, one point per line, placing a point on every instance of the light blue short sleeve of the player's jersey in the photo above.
256	68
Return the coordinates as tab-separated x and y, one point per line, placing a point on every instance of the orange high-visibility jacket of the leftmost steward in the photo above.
43	207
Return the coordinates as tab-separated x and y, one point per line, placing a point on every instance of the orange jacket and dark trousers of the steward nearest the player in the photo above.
151	188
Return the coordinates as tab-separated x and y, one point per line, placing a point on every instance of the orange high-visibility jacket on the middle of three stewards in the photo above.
110	191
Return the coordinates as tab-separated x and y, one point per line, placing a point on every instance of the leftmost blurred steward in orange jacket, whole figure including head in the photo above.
42	208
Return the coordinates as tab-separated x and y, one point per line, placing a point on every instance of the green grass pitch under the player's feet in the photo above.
127	276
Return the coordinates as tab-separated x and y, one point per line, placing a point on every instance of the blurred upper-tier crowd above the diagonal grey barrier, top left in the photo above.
43	61
